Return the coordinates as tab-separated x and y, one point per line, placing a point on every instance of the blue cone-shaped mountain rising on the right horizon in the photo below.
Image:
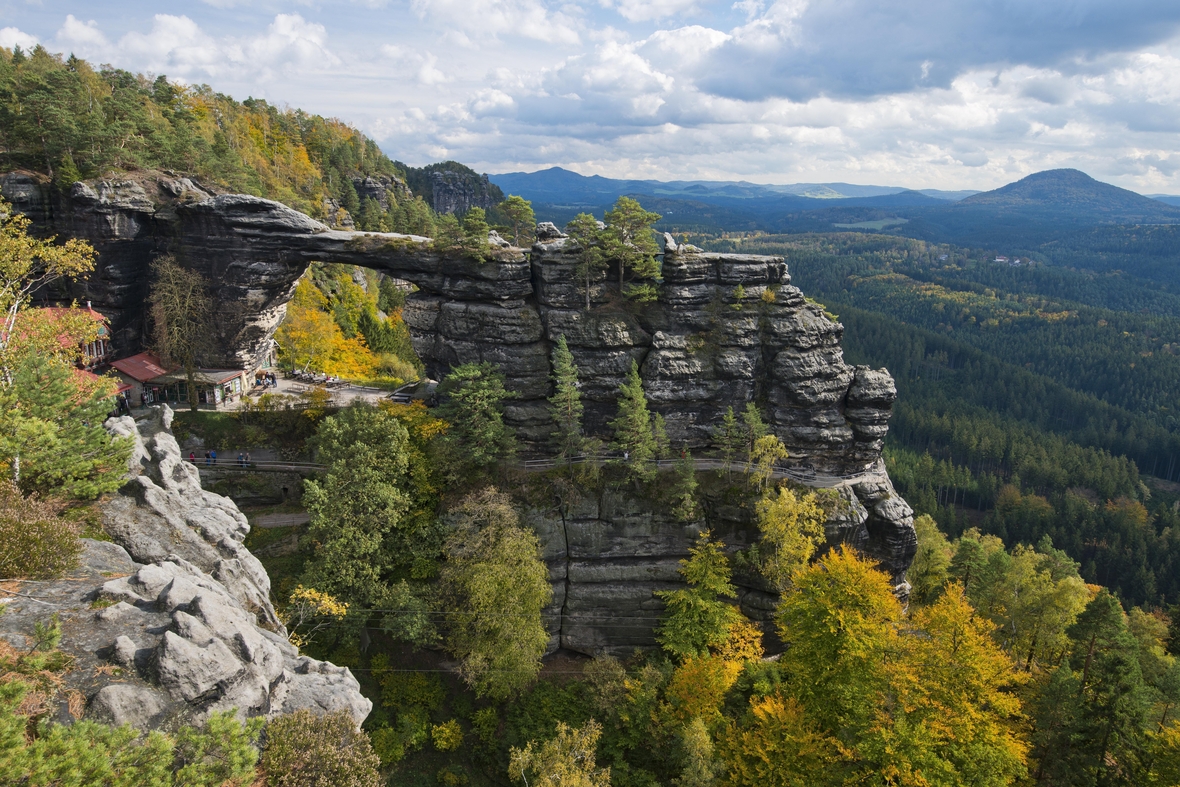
1071	192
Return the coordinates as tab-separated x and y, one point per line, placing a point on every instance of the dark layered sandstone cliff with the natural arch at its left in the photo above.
700	350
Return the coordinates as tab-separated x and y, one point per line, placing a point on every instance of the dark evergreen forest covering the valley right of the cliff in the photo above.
1034	399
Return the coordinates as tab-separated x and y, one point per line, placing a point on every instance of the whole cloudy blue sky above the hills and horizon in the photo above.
920	94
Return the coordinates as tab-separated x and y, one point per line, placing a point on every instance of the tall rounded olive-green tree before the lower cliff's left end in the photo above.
496	586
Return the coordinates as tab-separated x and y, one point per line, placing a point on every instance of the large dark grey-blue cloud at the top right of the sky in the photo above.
802	49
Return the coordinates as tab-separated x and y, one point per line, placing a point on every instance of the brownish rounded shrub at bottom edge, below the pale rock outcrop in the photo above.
310	751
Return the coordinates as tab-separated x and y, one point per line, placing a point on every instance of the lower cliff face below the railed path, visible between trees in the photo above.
609	554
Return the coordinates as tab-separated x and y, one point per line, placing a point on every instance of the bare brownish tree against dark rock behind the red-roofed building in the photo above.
181	313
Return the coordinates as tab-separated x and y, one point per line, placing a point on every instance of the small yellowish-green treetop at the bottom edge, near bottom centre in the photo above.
567	760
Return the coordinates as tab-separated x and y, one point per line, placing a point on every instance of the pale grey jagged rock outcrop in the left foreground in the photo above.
173	621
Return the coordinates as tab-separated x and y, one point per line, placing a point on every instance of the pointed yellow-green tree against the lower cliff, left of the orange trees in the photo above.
699	617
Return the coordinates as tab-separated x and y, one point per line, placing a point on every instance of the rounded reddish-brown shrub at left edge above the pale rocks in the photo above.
35	542
